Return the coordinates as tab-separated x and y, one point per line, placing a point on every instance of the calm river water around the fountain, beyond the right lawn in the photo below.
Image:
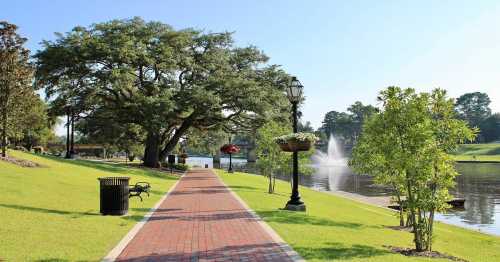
479	184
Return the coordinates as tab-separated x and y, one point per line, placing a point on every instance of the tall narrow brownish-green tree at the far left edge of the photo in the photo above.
15	76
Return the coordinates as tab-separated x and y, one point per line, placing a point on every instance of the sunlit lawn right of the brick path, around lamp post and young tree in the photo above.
335	228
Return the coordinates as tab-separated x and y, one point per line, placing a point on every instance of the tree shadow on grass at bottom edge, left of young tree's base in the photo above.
335	250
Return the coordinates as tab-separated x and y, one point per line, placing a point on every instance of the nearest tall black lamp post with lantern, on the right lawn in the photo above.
294	94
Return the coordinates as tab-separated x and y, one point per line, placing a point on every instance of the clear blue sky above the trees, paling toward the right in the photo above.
342	51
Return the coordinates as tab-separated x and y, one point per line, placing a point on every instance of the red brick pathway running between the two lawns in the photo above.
202	221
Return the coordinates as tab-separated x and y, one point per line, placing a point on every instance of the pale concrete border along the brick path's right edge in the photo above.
288	249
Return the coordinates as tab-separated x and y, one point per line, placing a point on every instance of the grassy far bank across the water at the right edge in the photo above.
482	152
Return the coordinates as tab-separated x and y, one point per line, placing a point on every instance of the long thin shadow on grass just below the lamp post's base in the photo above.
290	217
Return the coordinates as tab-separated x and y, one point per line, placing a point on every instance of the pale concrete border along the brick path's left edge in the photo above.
118	249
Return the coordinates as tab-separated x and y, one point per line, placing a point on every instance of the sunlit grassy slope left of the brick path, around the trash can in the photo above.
52	213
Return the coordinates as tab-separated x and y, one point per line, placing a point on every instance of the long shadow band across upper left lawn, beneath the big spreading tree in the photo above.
113	168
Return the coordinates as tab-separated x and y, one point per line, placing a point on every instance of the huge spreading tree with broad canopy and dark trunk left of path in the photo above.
164	80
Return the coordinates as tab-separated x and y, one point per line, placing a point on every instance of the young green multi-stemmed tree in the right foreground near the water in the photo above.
406	146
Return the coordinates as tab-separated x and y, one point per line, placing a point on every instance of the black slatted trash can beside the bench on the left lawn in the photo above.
114	195
